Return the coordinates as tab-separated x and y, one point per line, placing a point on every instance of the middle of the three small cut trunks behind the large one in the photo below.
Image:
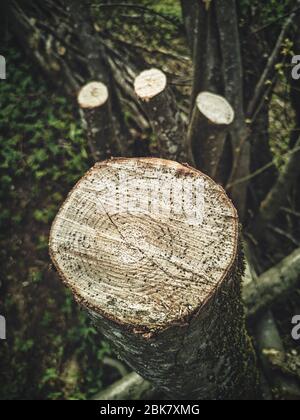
162	110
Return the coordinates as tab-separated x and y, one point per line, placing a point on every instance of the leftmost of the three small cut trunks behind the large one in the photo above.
95	106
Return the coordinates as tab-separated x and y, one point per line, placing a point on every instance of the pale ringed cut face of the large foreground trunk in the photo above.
145	243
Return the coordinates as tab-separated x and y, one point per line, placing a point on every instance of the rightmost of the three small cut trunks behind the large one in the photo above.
212	118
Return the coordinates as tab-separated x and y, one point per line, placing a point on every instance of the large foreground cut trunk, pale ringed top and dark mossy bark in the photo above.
151	249
